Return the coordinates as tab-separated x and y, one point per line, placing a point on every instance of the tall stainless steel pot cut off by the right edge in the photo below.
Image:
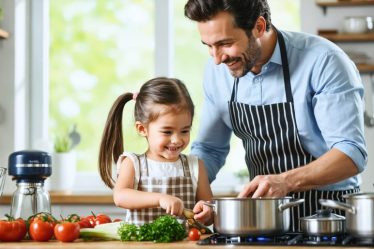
359	213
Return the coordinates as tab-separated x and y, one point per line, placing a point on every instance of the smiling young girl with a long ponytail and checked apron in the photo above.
162	180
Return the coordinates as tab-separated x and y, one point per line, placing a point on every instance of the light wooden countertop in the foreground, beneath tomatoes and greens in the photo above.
129	245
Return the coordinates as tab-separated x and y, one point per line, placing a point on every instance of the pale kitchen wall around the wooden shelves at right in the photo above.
313	19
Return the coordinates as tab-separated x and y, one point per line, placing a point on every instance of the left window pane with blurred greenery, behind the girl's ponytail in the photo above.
99	50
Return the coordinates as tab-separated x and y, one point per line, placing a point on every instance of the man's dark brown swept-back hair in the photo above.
245	12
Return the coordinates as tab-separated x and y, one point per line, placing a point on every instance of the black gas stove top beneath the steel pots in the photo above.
288	239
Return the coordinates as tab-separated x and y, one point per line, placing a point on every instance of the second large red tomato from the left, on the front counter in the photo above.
41	230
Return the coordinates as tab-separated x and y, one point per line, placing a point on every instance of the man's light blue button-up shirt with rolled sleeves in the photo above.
328	99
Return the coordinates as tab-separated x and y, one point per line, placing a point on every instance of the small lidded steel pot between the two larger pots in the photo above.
324	222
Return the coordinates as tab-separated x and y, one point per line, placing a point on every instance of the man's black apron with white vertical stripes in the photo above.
272	144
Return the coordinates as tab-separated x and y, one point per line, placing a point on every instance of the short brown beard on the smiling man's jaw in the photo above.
248	58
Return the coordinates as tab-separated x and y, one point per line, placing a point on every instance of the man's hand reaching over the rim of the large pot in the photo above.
265	186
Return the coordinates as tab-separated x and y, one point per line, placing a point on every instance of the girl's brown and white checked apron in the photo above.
180	187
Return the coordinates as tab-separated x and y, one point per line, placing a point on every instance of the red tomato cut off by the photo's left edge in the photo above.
12	230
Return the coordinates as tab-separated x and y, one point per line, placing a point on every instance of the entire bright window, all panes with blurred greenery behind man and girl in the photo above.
100	49
